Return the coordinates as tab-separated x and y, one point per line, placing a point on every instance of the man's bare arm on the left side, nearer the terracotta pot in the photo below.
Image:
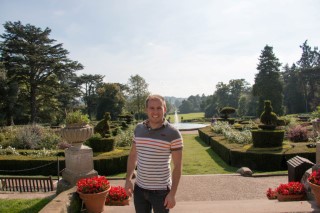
131	165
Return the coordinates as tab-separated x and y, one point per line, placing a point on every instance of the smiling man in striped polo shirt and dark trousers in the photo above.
155	142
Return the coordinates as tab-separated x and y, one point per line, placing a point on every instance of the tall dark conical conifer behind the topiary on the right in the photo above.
268	84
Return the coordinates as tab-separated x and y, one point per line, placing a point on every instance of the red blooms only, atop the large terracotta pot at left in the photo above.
93	185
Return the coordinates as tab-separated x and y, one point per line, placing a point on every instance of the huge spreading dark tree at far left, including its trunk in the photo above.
35	62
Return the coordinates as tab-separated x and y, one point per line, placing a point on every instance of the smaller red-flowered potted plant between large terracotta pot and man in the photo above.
117	196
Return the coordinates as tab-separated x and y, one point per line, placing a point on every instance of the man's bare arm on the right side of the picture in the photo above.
170	200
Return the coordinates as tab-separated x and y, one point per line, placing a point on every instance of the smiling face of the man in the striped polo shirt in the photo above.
155	111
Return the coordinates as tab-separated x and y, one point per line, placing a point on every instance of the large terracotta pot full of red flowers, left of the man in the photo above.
93	192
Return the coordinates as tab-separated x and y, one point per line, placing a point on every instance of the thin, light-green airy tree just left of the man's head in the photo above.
137	94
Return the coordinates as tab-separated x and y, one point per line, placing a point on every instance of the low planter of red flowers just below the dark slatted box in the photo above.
291	191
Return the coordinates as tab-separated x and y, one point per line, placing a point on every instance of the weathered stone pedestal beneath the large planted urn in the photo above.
79	164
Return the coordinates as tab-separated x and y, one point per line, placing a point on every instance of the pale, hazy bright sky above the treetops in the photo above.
180	47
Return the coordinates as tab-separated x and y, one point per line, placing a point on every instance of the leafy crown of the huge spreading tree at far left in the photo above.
40	67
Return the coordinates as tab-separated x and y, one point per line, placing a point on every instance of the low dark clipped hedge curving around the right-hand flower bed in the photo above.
265	160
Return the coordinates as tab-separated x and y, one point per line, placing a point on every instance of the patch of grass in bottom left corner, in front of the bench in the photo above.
23	205
